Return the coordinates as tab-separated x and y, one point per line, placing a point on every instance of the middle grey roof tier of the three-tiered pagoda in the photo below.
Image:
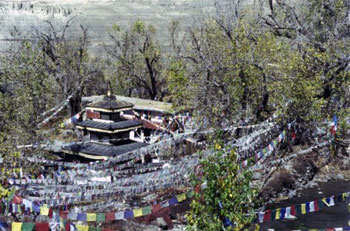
113	127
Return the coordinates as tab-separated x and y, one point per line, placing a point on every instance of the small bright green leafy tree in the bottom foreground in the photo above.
227	186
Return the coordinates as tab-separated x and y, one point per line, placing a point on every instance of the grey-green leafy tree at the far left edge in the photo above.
26	91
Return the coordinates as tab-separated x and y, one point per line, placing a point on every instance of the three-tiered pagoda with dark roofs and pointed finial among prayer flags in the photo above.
105	132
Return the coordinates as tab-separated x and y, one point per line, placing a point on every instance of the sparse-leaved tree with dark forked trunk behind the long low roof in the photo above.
138	58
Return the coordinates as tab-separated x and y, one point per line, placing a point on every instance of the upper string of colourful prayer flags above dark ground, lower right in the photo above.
294	210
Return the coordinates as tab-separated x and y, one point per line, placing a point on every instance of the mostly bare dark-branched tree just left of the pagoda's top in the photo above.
65	50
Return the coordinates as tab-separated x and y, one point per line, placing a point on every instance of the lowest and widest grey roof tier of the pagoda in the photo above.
94	150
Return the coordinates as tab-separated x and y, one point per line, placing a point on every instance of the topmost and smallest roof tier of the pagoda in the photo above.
110	104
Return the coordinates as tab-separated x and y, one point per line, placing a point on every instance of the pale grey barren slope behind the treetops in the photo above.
98	15
